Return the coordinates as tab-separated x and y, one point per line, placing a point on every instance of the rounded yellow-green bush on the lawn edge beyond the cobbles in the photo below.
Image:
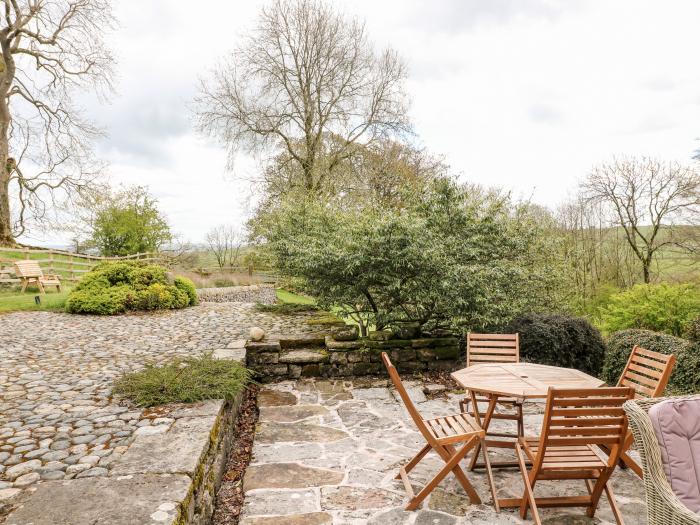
117	287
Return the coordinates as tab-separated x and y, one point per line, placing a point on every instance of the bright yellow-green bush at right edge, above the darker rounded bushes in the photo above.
668	308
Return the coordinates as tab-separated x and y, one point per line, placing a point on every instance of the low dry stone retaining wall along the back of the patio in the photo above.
315	356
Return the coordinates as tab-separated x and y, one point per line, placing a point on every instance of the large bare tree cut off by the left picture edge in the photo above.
49	48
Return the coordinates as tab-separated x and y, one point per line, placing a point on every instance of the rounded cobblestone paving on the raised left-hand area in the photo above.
57	417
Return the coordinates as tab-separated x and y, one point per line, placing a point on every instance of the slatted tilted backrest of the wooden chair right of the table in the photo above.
647	372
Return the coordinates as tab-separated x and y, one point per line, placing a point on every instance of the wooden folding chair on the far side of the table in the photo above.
494	348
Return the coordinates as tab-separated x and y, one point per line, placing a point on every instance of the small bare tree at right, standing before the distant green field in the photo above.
652	201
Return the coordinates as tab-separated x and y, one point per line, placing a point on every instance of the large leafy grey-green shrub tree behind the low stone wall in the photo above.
452	255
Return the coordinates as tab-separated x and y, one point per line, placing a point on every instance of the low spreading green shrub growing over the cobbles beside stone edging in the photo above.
184	380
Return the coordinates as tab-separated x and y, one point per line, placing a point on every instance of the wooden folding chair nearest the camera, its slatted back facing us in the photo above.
576	422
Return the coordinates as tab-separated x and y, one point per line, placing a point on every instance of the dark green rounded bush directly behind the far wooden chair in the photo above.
559	340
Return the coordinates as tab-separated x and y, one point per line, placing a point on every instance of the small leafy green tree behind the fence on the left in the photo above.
128	222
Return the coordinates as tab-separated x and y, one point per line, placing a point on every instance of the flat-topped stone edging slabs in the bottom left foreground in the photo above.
165	477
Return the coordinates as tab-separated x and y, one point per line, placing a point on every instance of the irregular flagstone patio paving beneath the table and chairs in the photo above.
326	453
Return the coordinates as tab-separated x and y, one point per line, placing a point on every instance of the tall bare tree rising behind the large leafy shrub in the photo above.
306	82
